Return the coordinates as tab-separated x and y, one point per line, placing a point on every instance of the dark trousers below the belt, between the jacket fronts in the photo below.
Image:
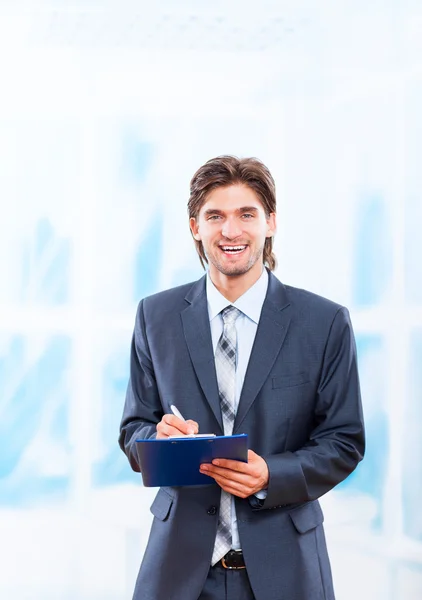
226	584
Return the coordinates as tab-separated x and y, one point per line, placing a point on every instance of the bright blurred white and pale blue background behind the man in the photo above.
106	111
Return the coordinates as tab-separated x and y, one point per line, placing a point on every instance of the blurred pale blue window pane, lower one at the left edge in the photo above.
35	457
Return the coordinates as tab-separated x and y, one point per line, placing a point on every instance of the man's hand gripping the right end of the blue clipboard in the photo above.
239	478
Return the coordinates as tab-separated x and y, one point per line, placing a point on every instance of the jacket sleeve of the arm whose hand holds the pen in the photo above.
142	410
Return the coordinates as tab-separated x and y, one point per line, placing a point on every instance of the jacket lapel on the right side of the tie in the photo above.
271	332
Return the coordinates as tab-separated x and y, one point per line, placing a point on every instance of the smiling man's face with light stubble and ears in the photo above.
232	227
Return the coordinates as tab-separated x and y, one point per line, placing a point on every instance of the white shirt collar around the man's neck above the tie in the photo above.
250	303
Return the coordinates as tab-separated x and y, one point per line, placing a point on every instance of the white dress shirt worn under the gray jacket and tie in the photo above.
250	305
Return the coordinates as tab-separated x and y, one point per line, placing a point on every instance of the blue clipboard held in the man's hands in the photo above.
175	461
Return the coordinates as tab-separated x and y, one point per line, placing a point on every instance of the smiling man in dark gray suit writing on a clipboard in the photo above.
279	366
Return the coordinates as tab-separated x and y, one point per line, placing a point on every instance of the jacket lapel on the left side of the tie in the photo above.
196	327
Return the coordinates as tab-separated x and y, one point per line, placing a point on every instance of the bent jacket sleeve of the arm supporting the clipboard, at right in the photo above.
337	442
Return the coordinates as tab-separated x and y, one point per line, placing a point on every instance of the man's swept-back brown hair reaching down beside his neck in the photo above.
223	171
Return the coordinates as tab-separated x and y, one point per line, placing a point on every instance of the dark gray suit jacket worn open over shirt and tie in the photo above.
300	406
